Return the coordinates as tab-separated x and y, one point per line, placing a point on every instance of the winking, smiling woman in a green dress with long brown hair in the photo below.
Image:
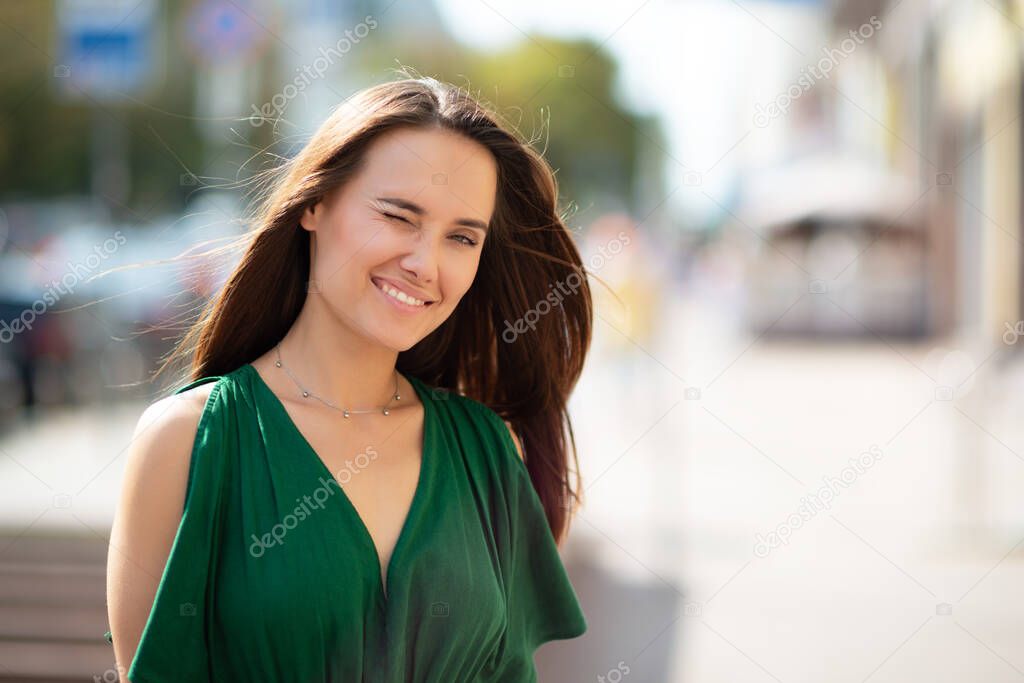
333	496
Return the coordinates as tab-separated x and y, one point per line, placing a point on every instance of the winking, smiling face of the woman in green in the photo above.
412	222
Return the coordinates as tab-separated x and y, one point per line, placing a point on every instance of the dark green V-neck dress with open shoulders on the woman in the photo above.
274	577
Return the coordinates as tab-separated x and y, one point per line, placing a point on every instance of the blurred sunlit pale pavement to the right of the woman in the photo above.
914	574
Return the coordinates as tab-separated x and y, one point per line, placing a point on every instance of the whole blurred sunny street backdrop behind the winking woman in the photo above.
800	429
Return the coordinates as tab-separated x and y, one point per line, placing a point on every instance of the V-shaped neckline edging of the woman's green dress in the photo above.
383	581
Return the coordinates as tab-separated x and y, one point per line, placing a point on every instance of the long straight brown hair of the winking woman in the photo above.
528	255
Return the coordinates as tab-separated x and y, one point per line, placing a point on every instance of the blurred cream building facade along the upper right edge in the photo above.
950	74
